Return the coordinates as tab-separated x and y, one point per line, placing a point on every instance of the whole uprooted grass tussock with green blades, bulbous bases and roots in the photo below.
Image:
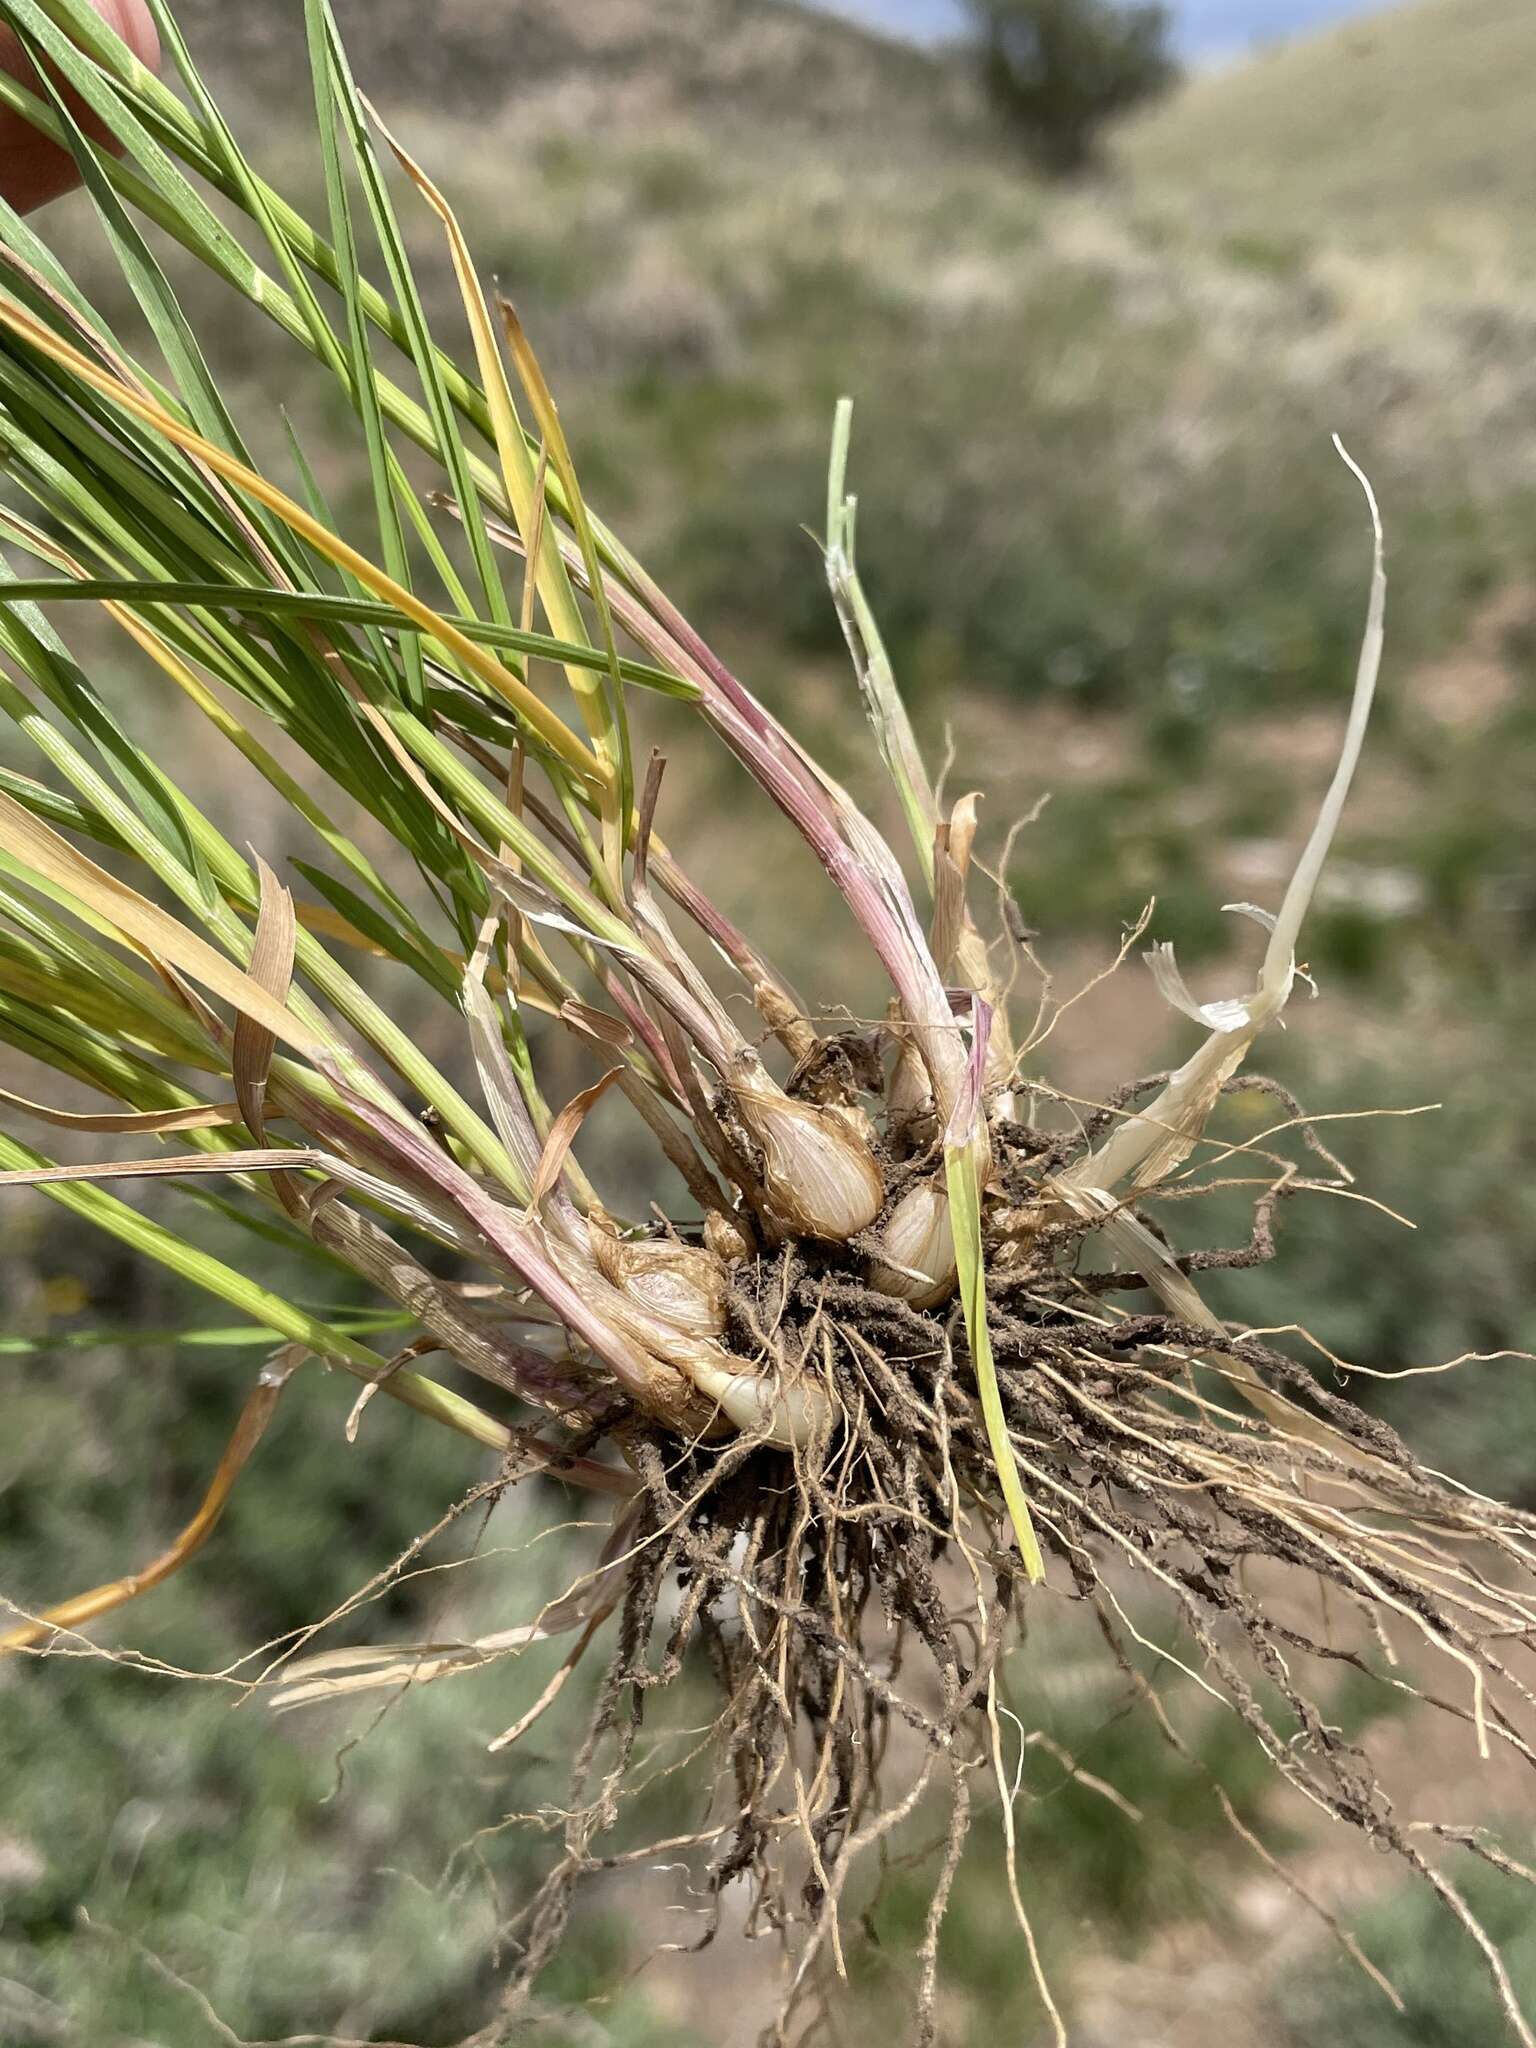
892	1345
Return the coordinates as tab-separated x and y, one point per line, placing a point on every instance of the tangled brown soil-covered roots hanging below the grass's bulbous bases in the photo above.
855	1598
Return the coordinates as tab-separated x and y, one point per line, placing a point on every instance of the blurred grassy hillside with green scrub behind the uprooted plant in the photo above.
1121	564
